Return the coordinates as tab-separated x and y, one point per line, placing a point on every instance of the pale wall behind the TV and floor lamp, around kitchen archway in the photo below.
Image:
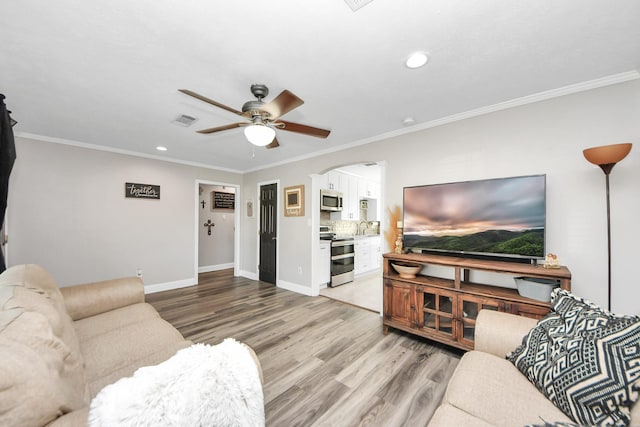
546	137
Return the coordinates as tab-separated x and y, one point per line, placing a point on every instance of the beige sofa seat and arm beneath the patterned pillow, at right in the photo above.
487	390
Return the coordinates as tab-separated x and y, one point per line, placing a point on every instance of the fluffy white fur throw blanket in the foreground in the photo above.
201	385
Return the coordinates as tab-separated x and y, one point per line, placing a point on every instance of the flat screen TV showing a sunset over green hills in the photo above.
503	218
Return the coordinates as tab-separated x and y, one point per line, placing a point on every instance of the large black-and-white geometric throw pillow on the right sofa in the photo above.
584	359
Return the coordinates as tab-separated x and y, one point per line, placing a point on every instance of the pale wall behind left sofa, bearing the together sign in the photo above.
67	212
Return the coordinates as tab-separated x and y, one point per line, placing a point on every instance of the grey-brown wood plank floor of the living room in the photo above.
325	363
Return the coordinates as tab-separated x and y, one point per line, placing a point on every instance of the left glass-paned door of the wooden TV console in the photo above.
438	312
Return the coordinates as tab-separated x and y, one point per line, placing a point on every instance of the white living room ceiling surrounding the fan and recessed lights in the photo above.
107	73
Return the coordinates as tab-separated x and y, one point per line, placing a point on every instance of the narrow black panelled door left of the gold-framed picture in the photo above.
268	213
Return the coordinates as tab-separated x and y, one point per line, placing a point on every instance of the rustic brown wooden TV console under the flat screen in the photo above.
445	310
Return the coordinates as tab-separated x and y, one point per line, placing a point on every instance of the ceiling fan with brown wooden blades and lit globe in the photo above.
263	117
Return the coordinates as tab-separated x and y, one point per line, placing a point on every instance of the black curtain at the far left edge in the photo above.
7	158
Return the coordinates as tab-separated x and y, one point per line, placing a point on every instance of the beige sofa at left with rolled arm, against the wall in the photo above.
60	346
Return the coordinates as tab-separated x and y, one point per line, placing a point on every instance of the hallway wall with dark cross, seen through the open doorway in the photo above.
215	251
